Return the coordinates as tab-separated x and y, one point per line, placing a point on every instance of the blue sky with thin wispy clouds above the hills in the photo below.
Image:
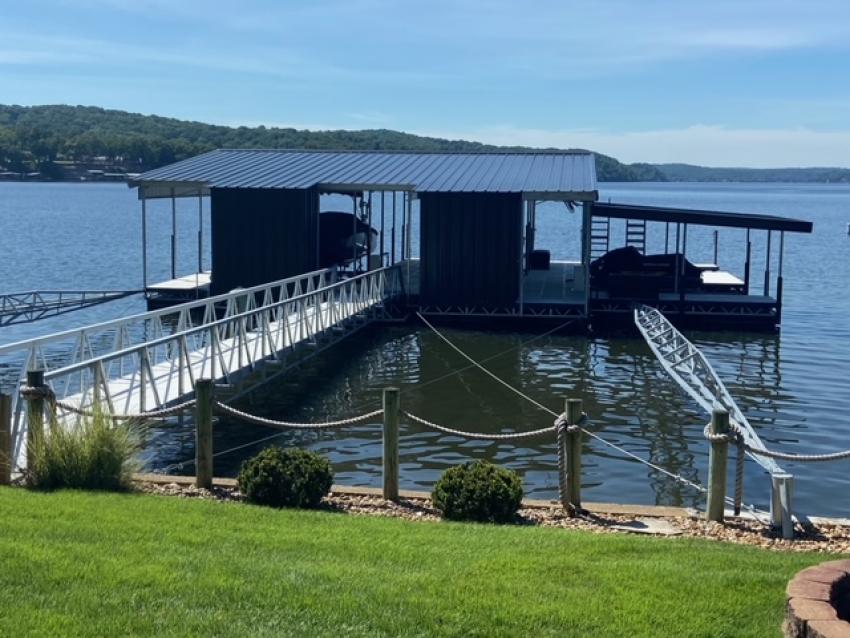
719	83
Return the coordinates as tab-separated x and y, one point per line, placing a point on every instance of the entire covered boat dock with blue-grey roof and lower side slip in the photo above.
463	229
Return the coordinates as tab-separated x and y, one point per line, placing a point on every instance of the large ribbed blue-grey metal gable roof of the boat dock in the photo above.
559	174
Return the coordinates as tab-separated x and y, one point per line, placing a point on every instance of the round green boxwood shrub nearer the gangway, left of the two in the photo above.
288	477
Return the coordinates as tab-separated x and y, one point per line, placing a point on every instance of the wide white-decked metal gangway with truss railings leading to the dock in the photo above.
241	339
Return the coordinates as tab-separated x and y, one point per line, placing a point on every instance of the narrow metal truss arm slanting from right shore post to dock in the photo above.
689	368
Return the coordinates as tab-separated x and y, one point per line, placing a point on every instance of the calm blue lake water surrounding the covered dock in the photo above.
794	387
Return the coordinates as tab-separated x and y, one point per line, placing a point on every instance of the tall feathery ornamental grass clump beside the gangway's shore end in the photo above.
92	454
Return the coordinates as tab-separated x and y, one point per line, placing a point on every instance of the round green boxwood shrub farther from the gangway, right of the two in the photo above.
478	491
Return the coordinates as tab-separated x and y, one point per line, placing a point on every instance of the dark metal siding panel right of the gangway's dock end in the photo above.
470	248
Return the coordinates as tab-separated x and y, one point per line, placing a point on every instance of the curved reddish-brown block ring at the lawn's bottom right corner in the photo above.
818	602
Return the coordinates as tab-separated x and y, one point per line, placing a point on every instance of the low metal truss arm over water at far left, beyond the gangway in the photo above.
32	305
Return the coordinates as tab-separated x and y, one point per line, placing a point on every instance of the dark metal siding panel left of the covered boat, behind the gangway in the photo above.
261	235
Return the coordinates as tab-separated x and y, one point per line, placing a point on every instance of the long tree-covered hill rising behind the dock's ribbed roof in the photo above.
51	138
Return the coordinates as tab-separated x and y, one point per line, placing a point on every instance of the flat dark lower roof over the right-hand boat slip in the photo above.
702	217
